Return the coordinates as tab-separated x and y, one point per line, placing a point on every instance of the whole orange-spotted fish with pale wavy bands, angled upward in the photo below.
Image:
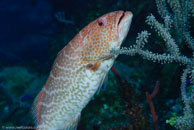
79	71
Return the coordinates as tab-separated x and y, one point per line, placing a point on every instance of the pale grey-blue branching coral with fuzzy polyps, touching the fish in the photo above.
178	20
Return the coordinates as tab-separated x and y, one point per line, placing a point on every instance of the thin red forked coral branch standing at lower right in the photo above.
149	100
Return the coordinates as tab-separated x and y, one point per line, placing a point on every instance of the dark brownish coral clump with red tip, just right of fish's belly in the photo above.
134	110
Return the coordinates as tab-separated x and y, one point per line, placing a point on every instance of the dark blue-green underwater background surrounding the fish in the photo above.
151	89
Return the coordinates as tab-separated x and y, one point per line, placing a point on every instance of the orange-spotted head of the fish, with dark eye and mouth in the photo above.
105	33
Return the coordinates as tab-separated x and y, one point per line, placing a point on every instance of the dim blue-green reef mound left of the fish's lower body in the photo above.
18	86
